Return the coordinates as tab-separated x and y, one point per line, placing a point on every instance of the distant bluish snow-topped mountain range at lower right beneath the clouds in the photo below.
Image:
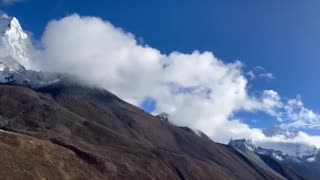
304	163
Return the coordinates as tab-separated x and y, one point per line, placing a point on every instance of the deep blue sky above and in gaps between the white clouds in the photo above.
283	37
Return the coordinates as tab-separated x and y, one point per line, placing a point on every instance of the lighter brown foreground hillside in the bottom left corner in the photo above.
25	157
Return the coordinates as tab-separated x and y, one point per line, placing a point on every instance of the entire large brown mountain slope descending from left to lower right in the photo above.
87	133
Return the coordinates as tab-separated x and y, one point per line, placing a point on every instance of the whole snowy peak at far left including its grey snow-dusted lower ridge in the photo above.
15	47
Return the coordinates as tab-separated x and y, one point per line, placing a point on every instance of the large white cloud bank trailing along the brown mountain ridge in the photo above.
197	90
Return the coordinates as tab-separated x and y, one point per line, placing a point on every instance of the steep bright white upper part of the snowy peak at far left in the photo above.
14	41
